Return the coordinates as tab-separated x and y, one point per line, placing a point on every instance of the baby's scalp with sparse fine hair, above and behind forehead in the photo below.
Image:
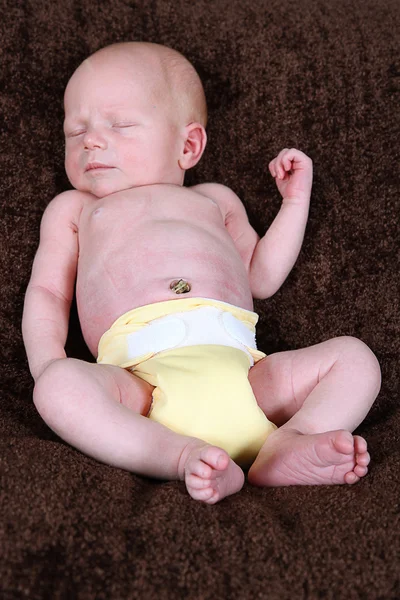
173	78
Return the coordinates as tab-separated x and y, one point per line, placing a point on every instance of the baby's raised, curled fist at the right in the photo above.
293	172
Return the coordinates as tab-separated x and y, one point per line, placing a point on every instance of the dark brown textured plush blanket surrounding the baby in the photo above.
318	75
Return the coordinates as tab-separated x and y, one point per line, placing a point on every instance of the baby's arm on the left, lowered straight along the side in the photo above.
51	286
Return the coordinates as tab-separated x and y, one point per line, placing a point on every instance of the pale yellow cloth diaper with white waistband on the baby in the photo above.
197	353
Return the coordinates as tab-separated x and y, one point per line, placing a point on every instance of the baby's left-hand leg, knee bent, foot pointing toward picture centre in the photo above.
100	410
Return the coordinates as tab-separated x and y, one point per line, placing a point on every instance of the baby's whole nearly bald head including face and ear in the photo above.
138	108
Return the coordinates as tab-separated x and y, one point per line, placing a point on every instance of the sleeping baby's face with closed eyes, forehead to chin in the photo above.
115	117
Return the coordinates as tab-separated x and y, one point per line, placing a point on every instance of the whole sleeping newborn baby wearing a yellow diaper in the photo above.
165	280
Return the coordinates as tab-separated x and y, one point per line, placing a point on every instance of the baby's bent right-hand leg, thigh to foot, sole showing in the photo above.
317	396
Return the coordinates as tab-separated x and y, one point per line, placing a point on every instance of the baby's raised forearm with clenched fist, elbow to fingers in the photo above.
276	253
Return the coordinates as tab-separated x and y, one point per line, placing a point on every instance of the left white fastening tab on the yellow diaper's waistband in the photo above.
161	334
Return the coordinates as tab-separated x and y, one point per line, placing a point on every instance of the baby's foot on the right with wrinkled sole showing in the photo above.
289	457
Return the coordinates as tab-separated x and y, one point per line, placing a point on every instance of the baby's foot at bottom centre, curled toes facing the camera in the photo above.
210	474
